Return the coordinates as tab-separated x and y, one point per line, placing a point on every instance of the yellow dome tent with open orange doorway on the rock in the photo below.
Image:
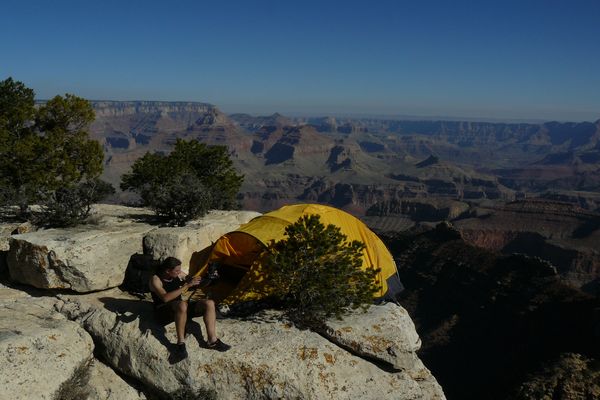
238	253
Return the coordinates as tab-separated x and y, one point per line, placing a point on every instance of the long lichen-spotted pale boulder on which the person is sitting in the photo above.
270	358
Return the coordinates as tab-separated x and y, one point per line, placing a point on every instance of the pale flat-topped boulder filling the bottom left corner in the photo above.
40	350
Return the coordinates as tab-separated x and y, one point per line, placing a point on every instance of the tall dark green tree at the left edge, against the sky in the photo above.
45	150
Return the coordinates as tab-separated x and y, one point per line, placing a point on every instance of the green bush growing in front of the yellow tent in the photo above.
317	274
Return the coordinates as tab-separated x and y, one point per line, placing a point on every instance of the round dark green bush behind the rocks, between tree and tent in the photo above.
186	183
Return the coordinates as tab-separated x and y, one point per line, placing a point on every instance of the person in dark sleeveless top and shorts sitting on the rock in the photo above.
166	287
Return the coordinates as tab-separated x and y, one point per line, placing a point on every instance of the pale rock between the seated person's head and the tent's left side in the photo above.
182	242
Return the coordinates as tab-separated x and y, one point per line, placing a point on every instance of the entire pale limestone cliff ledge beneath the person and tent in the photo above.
58	343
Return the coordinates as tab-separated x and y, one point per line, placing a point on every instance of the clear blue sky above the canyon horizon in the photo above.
497	59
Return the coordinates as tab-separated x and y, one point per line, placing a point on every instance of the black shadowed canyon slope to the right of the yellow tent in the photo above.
507	324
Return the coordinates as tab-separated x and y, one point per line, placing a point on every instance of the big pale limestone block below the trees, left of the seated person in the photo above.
84	258
